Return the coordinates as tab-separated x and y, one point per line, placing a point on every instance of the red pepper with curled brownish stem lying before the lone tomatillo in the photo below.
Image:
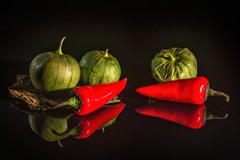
191	90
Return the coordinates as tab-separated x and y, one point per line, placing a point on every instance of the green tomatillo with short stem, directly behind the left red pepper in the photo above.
99	67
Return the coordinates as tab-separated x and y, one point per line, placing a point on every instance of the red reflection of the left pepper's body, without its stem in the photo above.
88	124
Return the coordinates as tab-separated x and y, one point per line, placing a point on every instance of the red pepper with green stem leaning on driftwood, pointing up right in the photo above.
89	98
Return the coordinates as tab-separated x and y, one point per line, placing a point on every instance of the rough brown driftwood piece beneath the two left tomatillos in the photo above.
24	92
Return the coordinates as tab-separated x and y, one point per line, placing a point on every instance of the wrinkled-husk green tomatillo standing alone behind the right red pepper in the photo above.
173	64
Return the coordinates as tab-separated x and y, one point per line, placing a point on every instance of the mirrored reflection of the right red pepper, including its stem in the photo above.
189	115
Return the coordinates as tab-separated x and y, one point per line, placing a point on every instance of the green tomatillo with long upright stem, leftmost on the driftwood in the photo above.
54	71
